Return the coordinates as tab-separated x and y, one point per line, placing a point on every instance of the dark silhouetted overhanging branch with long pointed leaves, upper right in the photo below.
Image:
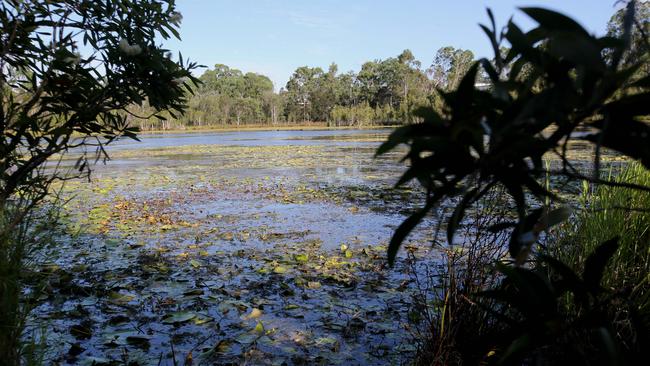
498	137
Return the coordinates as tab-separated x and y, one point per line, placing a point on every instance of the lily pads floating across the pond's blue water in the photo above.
230	254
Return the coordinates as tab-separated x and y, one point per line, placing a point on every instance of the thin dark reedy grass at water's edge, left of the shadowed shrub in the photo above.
454	325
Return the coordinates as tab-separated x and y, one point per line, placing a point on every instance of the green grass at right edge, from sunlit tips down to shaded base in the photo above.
609	212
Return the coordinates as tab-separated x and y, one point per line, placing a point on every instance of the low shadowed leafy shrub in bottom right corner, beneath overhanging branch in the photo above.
539	327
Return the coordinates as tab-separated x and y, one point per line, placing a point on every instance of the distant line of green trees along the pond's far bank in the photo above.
383	92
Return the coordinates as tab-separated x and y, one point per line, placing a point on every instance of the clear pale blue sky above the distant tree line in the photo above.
274	37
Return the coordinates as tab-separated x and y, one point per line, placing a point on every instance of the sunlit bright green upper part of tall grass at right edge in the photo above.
608	212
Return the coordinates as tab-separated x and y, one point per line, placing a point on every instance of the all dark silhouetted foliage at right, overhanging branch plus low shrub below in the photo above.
487	140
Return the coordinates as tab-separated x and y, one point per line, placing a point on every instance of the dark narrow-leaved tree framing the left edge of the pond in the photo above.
69	72
